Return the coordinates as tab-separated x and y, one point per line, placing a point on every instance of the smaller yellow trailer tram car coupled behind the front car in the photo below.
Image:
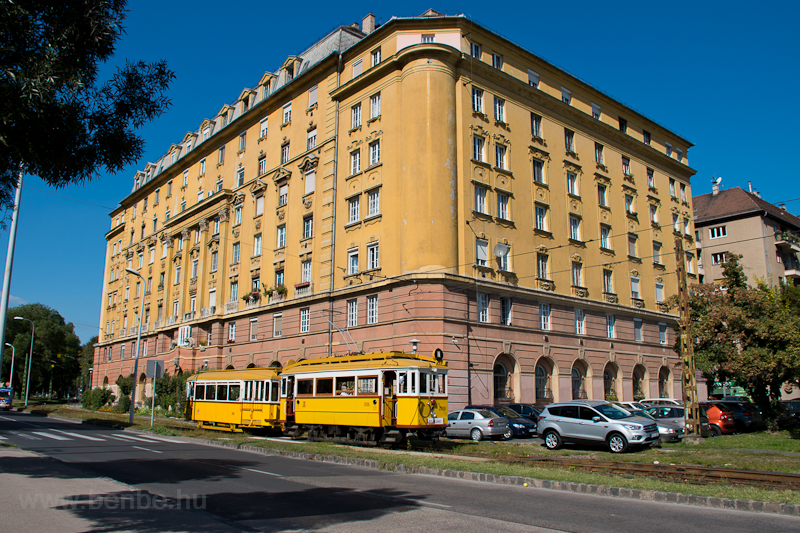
230	400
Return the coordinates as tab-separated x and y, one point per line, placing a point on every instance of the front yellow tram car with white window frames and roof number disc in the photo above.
366	398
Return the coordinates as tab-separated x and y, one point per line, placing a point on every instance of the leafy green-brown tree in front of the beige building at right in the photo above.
748	334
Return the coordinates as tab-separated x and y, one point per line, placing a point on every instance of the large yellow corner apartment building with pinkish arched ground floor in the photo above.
424	180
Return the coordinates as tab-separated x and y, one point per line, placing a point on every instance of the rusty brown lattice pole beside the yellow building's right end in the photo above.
689	388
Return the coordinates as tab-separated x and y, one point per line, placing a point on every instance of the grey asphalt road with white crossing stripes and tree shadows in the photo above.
232	490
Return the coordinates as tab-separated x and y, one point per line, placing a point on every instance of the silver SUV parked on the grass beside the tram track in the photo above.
595	421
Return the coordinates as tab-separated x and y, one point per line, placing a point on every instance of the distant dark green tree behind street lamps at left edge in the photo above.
56	349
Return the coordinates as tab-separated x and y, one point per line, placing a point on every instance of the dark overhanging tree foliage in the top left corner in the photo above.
50	53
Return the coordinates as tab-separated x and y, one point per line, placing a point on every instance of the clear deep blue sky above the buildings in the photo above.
722	74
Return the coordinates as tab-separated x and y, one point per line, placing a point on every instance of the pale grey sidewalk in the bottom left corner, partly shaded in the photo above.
45	495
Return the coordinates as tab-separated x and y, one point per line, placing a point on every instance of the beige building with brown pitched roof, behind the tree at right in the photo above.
740	222
